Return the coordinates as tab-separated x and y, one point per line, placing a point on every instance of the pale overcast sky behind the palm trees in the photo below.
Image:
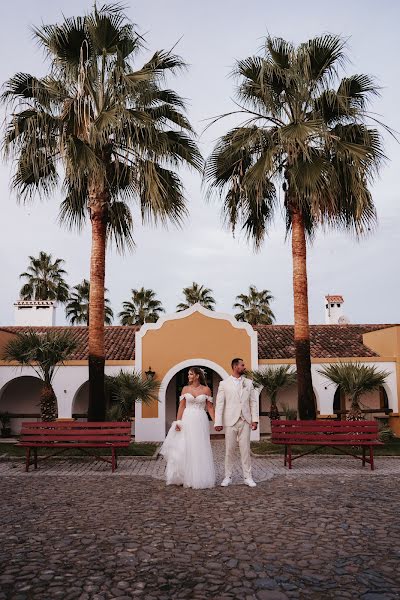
212	35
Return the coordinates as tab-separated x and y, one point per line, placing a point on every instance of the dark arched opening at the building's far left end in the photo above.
20	397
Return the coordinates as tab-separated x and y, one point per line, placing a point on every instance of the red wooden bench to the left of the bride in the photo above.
64	435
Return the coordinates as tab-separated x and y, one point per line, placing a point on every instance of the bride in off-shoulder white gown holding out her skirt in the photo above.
187	447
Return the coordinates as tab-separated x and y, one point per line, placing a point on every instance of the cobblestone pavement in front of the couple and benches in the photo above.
328	530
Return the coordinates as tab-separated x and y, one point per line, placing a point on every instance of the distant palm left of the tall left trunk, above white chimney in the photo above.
44	279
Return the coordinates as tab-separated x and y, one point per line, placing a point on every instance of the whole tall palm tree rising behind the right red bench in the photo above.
307	133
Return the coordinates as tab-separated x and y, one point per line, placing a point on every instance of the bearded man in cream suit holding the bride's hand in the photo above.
236	410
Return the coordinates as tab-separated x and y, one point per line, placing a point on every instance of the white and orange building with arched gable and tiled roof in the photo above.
208	339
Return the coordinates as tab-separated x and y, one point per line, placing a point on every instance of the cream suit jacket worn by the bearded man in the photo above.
234	400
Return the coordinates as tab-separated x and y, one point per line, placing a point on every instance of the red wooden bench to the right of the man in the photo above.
336	434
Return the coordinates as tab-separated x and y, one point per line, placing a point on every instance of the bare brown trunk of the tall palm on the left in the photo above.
97	402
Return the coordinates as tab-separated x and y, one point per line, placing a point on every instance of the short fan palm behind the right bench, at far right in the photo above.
355	380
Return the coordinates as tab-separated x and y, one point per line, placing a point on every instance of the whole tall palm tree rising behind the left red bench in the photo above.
112	132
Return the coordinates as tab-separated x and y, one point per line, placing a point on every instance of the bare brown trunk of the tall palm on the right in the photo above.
306	404
